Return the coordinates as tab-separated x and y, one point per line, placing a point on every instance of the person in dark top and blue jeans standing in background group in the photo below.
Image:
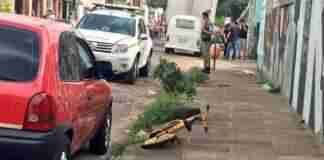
233	39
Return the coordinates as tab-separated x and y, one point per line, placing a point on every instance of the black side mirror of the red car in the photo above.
104	70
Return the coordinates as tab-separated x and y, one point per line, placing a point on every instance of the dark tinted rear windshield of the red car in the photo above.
19	54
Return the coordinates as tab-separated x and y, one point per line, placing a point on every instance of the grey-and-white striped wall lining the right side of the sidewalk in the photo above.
290	54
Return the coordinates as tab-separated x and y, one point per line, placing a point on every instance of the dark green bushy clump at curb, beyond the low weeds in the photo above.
173	80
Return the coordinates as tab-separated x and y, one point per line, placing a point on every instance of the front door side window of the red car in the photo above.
86	63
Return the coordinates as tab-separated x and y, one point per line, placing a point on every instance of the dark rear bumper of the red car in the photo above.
25	145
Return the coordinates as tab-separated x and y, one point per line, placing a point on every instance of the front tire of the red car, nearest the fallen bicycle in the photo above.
100	144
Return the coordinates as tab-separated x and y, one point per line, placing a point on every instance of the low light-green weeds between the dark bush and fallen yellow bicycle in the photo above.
160	111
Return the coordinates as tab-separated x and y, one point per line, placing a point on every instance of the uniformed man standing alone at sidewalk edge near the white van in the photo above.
206	37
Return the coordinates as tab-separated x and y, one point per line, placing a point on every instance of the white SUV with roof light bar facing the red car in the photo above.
120	39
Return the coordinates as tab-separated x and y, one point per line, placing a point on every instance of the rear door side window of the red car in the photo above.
69	60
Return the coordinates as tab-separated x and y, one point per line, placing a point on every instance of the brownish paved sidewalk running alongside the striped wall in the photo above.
246	123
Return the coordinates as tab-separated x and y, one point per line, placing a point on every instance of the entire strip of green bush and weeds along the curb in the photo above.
178	90
